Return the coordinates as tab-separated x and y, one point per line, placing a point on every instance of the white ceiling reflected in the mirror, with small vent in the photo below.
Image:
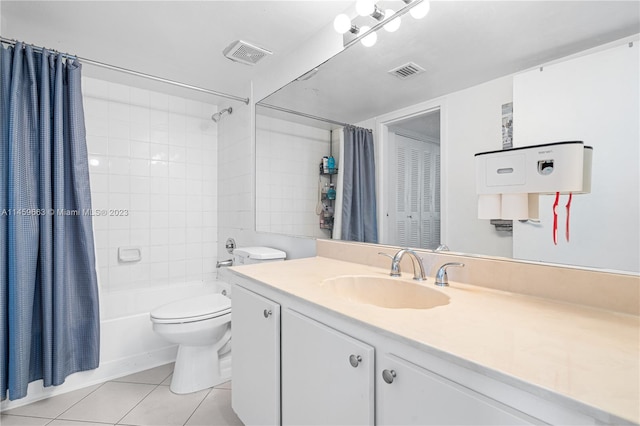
460	44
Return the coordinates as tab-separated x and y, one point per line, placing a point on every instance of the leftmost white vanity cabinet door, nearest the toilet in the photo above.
255	358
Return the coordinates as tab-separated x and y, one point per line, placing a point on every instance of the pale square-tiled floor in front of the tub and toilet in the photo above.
141	399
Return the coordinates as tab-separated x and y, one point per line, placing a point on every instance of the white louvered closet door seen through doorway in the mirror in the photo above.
417	213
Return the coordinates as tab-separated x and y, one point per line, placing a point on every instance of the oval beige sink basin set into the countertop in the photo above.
385	292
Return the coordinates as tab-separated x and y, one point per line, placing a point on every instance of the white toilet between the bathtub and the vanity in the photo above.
201	326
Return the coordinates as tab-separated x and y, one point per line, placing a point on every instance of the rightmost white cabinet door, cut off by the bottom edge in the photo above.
417	396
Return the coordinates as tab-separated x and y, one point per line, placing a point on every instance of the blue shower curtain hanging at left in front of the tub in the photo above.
49	320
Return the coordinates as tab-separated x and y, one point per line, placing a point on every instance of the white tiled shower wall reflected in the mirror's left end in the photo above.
287	187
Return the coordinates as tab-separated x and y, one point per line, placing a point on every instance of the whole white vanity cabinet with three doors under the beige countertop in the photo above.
330	368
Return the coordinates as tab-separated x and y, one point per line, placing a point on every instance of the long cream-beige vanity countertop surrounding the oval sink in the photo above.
586	354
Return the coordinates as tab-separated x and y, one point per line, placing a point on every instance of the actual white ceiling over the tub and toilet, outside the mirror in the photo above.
178	40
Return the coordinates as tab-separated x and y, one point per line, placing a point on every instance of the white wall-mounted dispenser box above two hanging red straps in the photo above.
509	182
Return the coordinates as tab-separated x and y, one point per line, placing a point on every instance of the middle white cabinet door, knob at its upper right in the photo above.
327	376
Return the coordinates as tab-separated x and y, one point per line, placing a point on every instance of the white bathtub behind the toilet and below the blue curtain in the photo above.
127	342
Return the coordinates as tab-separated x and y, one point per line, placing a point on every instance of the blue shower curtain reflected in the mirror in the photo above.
359	218
